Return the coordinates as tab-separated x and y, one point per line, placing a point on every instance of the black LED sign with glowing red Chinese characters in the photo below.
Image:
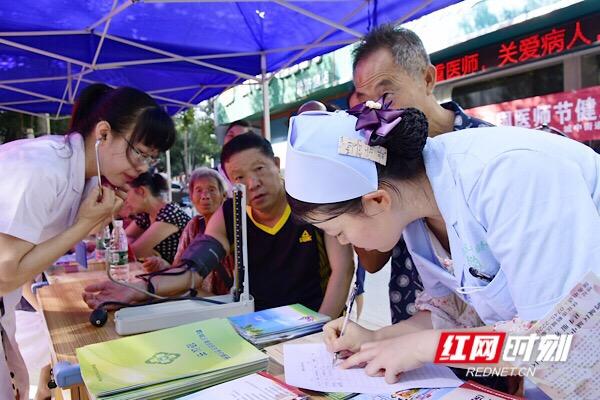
549	42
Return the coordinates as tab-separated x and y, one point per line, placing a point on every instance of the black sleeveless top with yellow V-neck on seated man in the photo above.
285	262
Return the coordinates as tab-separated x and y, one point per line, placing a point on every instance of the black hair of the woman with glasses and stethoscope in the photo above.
123	108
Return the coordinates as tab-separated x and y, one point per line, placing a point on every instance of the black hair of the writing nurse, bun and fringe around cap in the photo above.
404	145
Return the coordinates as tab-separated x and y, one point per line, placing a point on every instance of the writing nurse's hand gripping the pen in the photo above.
354	336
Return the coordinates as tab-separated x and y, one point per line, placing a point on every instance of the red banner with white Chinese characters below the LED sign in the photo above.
574	113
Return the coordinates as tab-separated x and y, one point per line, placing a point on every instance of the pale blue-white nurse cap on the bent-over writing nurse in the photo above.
316	171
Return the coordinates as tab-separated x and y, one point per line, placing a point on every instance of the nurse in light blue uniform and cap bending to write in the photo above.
505	218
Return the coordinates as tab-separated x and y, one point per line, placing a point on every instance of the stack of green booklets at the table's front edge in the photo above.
168	363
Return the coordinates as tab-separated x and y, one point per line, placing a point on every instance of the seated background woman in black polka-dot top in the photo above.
158	224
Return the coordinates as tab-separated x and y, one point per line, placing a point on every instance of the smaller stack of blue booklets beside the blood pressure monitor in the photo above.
266	327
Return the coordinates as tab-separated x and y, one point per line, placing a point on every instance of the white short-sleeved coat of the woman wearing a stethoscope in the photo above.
42	181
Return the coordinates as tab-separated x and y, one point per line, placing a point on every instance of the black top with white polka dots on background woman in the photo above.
172	214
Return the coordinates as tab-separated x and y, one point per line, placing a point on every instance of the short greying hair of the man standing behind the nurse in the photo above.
405	46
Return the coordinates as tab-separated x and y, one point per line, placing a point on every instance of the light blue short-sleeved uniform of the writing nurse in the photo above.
520	206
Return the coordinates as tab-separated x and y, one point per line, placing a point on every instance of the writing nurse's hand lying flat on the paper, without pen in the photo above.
391	357
